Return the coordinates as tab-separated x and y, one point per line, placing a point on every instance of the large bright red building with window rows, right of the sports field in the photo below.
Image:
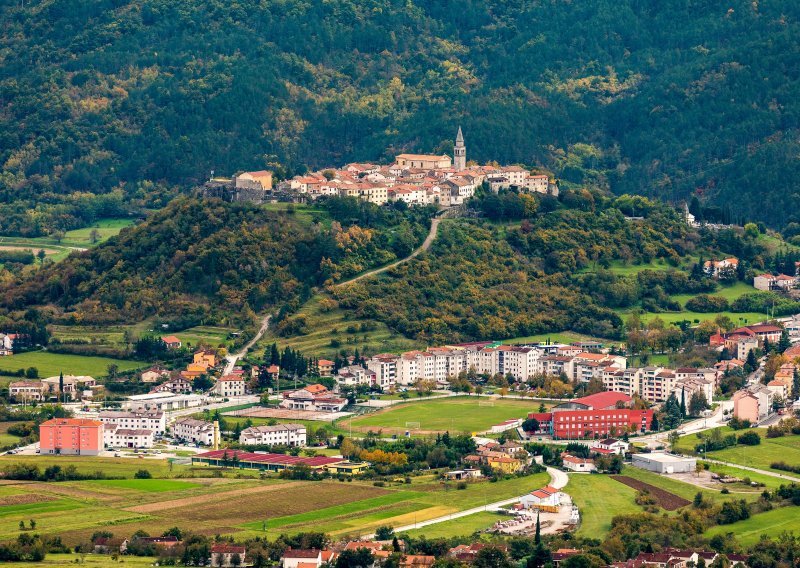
598	415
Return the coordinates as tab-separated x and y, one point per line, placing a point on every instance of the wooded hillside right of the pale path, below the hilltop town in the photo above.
547	268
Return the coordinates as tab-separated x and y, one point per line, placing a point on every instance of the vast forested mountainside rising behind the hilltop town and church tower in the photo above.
141	99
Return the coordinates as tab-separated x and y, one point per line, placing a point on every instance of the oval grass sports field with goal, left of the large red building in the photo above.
454	414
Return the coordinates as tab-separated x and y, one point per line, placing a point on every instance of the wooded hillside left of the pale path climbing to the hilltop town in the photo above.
208	261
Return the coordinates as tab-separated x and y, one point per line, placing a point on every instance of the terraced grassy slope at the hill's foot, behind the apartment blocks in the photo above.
329	332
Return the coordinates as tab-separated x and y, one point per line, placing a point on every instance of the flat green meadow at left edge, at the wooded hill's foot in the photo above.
51	364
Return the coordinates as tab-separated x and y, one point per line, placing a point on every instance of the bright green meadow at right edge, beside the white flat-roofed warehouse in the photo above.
786	448
